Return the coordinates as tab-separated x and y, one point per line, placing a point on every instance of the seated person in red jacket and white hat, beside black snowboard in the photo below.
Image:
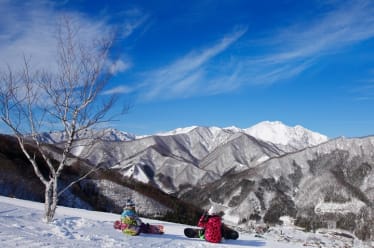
212	226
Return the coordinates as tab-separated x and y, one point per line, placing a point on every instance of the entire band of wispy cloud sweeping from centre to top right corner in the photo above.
283	53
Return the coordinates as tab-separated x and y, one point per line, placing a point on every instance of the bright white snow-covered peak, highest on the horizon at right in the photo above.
278	133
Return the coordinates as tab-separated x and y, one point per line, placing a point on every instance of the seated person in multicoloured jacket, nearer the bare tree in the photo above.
130	222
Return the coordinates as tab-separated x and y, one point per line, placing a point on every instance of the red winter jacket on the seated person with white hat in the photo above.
212	225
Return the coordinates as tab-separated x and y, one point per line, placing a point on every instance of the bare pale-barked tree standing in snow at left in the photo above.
67	96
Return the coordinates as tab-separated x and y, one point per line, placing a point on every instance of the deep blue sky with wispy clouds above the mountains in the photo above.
221	63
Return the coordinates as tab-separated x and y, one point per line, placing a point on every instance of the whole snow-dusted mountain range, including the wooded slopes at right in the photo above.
254	174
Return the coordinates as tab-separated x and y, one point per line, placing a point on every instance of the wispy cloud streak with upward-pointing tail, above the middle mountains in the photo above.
188	76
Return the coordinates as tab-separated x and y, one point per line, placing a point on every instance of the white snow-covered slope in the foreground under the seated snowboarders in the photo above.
21	226
